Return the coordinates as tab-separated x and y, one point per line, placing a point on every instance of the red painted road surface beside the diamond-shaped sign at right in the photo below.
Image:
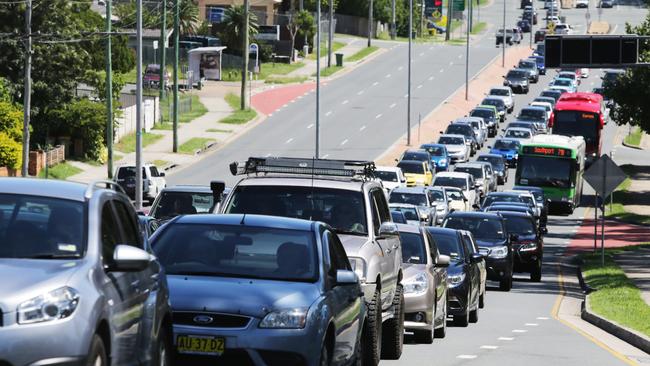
617	234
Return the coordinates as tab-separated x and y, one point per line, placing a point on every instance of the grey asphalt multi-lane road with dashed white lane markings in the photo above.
364	113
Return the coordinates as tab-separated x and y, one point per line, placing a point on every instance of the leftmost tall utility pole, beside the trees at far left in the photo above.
27	98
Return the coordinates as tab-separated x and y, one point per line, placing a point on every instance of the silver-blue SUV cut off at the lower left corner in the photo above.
79	285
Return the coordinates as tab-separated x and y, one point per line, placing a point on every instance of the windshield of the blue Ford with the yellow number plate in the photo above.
238	251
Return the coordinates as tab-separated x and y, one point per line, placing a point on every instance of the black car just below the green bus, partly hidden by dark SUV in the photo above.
528	246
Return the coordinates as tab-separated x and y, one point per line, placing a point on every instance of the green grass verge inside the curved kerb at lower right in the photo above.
617	298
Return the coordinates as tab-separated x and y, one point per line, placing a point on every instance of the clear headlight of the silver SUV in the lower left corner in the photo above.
56	304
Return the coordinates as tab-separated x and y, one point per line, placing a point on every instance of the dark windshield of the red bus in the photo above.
577	123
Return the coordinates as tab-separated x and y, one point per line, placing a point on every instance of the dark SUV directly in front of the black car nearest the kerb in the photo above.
489	230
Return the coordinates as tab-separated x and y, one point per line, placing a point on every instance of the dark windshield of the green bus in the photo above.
544	171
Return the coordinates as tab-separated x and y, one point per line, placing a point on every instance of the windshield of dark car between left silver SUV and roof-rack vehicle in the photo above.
173	204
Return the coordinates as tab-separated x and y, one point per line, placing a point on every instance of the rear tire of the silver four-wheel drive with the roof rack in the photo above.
392	340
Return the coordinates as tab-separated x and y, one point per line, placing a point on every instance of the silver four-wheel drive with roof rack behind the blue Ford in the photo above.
345	195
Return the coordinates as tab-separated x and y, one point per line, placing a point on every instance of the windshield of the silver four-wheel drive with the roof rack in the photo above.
342	209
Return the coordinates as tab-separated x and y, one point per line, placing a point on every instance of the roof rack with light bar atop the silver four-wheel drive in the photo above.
305	166
